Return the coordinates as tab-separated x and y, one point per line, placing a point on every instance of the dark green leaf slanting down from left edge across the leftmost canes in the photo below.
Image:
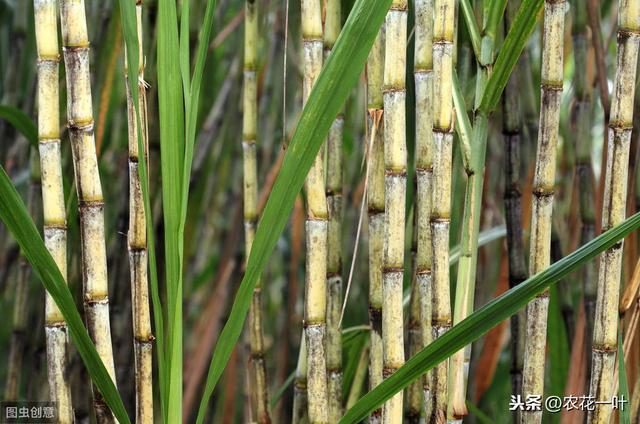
15	216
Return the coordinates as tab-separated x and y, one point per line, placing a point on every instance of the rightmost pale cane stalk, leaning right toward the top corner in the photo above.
605	333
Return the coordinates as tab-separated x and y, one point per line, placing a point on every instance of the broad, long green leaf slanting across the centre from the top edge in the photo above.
340	73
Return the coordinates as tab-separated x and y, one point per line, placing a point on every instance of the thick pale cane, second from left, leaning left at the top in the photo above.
91	203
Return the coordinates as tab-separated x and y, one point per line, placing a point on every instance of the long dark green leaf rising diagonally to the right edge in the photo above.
485	318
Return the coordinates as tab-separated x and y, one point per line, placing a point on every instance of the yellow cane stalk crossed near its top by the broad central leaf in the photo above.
316	231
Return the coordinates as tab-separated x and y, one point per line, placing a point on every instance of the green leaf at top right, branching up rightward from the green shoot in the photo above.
514	43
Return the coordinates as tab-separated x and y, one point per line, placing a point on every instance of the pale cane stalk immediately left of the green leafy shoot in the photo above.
443	52
